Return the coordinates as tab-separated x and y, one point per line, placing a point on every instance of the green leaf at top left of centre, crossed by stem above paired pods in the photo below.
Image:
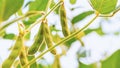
37	5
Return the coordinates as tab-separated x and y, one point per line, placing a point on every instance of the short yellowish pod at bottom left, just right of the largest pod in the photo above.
23	57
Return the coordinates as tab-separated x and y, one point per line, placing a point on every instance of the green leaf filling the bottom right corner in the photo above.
113	61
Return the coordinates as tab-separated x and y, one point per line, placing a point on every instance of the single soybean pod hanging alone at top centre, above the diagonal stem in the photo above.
63	20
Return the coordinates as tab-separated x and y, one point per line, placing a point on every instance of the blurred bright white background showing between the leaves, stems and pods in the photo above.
101	42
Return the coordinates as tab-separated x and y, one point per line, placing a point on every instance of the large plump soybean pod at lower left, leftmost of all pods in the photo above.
14	53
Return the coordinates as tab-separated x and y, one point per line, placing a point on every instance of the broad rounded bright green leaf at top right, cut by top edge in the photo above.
104	6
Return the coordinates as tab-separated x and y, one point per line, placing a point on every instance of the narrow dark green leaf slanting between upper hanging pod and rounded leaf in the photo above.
81	16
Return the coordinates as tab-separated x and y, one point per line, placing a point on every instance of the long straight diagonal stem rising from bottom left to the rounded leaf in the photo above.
62	41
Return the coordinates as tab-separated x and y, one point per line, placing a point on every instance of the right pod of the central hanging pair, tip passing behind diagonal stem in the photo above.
48	37
